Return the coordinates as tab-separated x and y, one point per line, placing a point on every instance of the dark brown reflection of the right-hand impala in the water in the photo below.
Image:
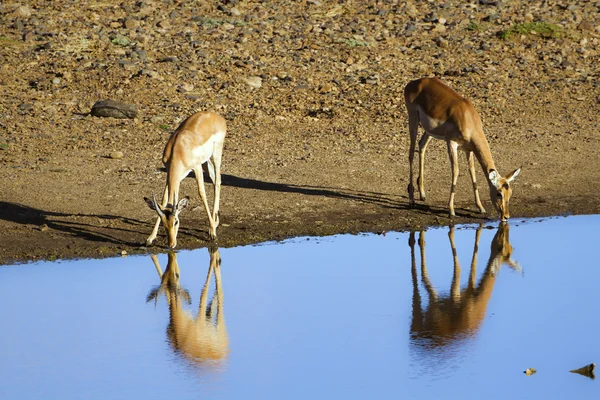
458	316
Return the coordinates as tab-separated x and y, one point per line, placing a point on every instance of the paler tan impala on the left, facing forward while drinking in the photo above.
197	142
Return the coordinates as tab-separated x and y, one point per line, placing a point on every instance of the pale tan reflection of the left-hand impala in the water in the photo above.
203	339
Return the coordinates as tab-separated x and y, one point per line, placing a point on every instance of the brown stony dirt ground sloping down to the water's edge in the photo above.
312	91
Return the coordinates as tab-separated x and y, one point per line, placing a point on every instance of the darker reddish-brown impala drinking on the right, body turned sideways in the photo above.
444	114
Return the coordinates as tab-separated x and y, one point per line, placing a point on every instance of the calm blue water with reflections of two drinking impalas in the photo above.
336	317
